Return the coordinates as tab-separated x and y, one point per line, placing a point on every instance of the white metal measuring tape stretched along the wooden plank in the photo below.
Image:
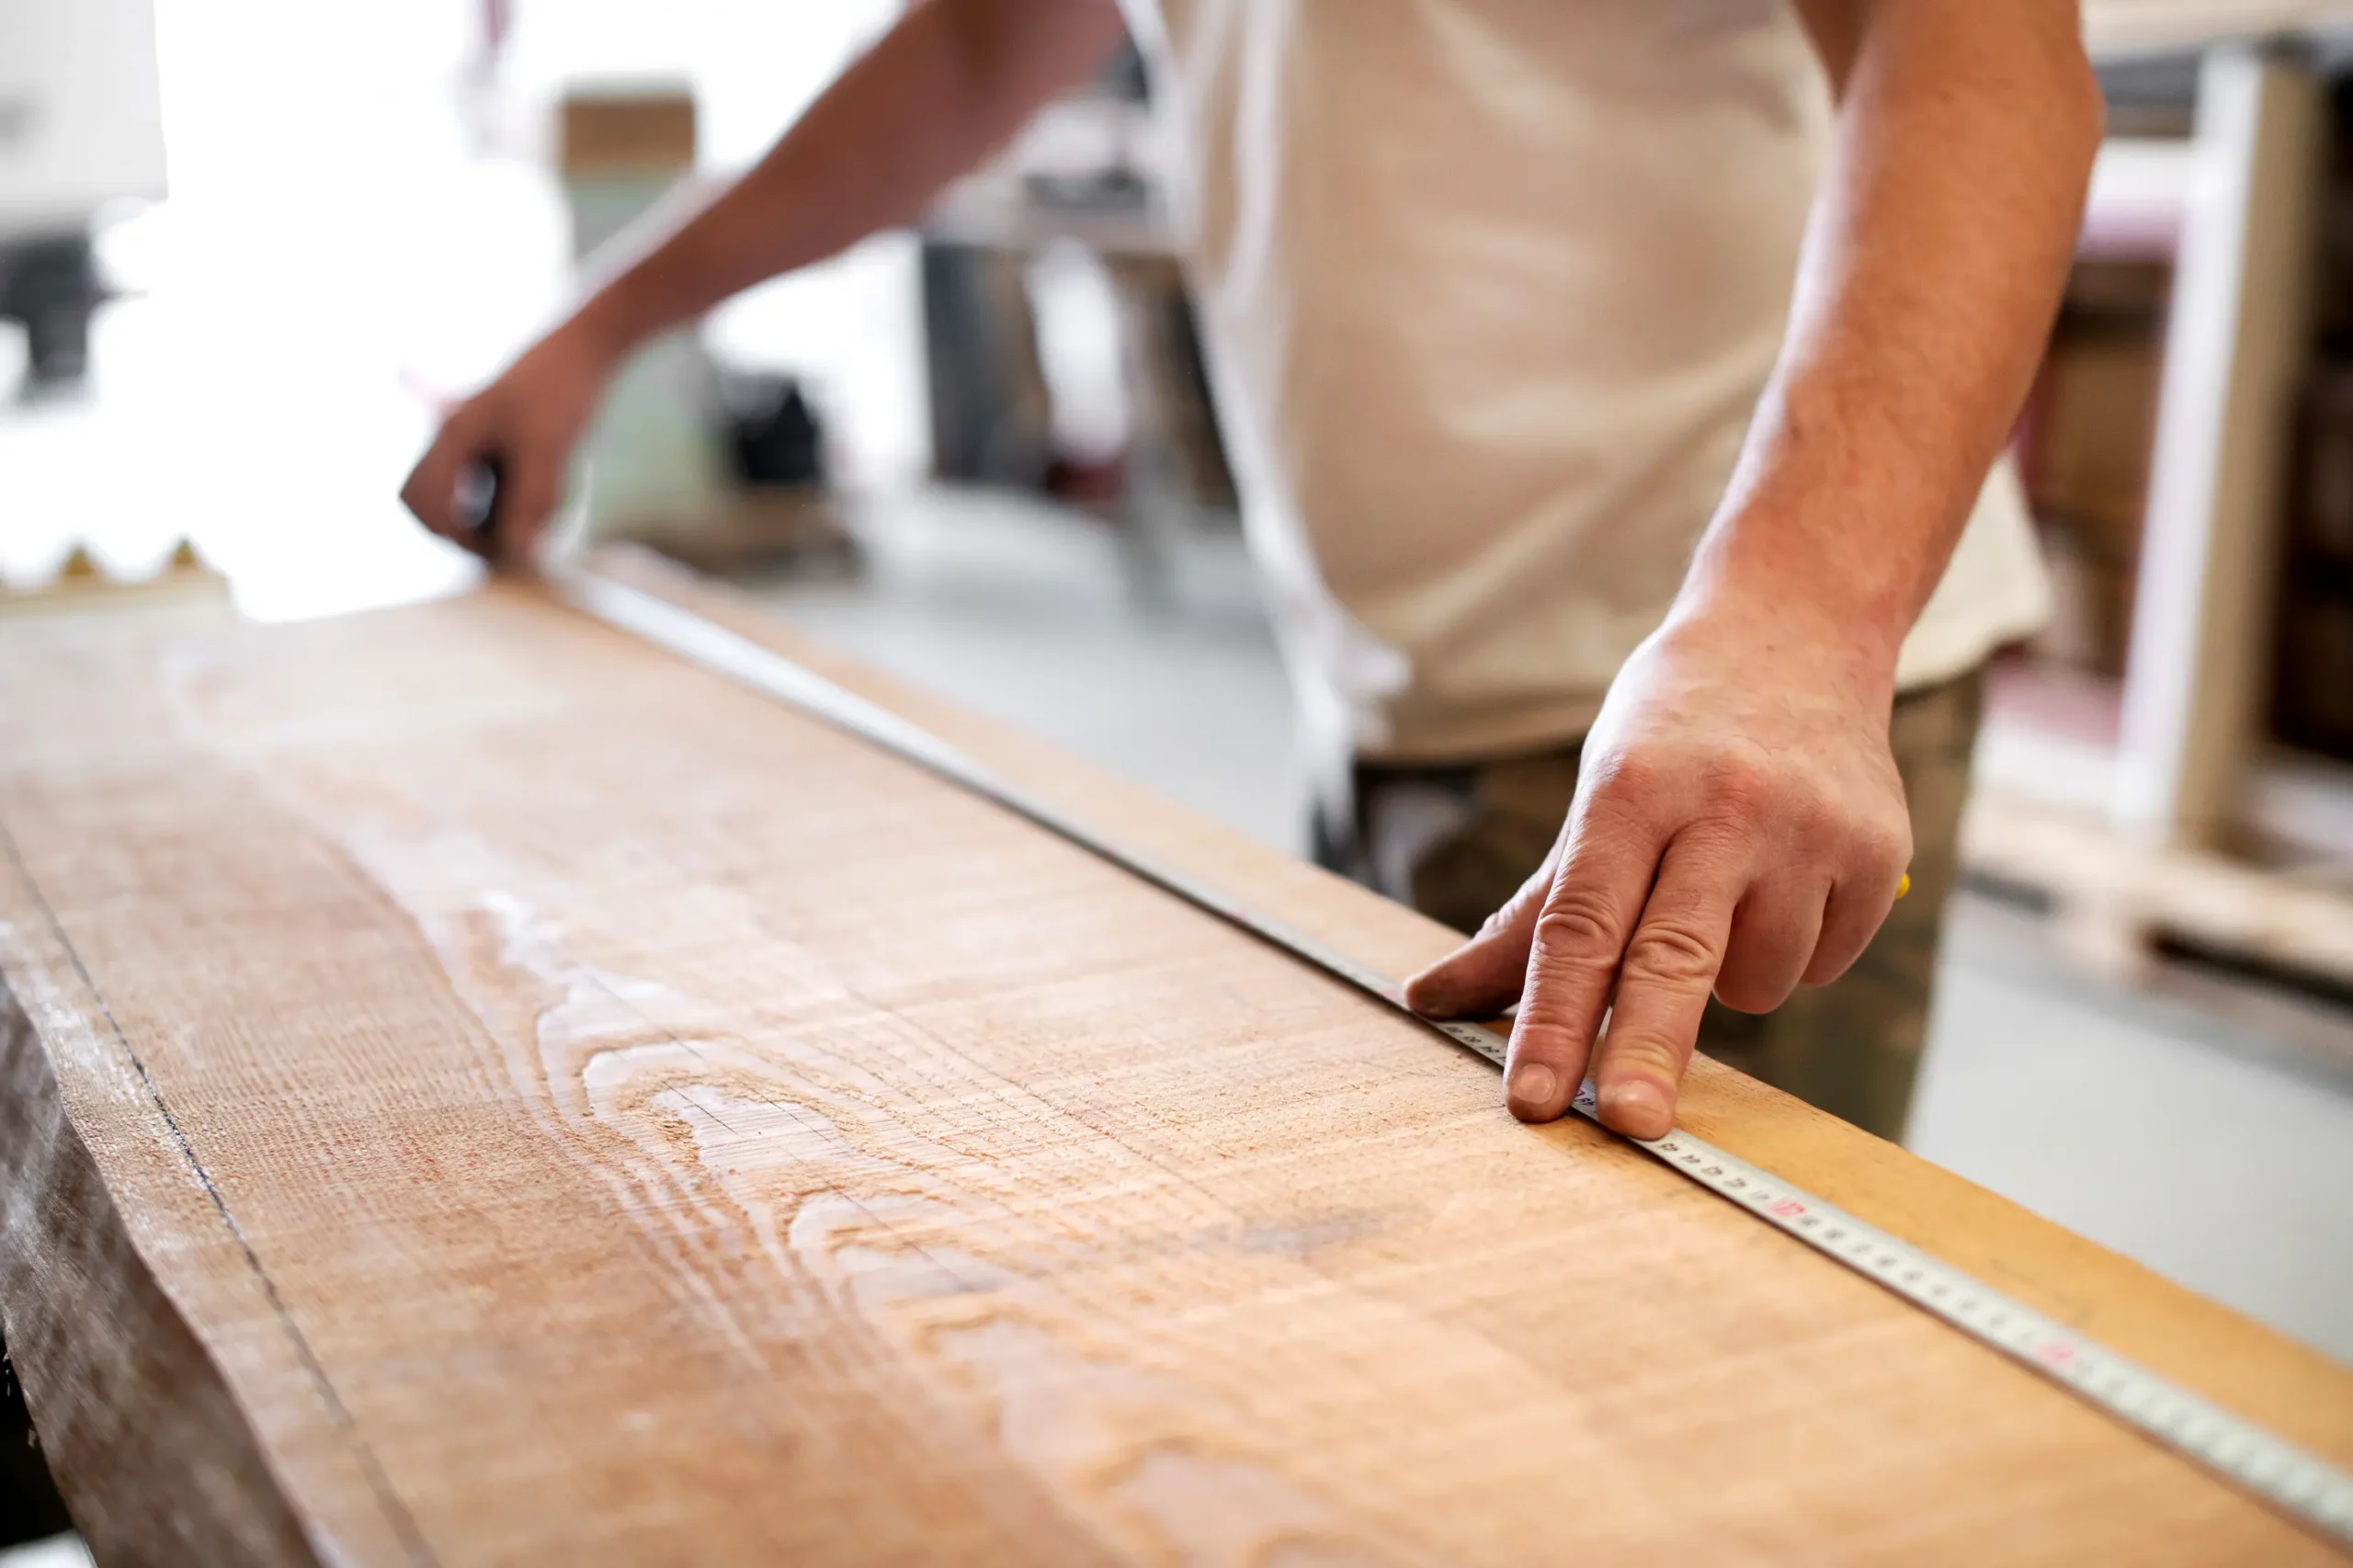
2239	1451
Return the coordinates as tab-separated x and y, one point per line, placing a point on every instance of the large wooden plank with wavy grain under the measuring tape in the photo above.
618	1119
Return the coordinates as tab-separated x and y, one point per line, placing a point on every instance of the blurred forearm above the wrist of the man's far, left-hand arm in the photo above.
947	86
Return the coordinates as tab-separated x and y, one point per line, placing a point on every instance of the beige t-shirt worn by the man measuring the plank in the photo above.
1491	291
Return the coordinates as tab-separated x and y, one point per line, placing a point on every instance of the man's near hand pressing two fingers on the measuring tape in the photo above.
1738	828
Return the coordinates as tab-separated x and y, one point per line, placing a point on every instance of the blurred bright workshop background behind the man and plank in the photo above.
248	248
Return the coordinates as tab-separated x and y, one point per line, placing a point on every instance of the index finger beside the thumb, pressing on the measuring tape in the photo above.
1589	915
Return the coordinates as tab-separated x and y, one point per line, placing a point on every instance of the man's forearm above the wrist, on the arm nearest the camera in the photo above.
1931	274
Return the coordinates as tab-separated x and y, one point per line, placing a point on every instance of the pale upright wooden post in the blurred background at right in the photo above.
2237	345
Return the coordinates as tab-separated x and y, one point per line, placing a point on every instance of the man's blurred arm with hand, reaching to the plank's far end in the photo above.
949	84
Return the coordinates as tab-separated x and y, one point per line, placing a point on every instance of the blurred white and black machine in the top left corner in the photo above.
81	128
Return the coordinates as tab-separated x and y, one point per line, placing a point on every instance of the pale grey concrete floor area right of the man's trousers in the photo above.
2199	1127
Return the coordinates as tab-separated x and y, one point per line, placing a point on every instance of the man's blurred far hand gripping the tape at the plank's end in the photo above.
526	423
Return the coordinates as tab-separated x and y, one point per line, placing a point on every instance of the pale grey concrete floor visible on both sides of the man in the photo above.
2197	1124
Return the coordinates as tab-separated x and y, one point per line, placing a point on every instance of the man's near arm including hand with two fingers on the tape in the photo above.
1740	823
